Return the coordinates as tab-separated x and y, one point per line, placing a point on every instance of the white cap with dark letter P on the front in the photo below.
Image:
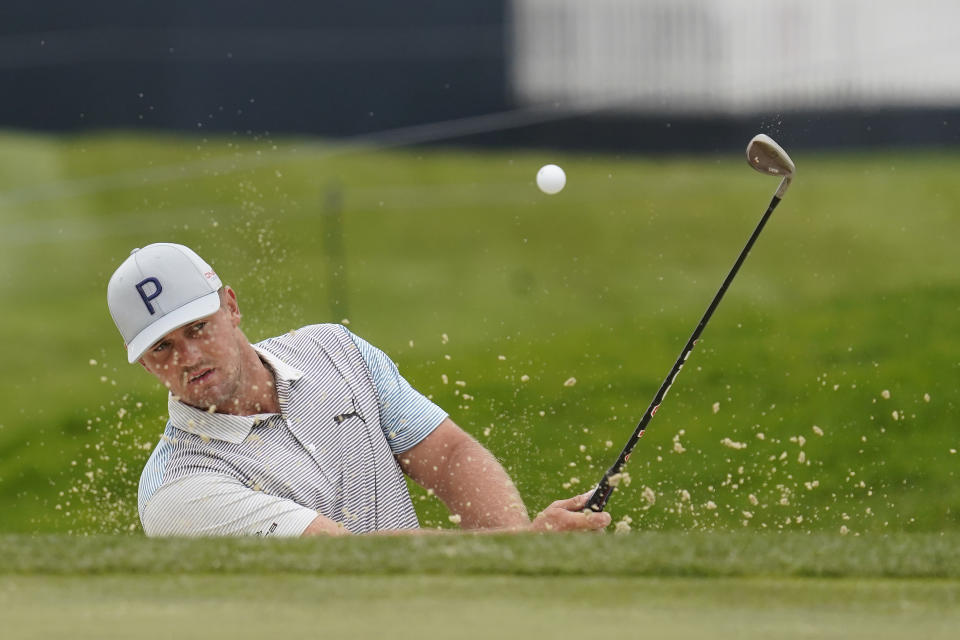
158	289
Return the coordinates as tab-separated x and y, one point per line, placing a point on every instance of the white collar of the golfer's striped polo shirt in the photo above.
225	426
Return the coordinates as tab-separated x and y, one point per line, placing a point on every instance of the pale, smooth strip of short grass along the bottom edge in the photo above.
449	607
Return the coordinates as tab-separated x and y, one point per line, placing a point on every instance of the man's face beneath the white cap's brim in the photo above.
201	362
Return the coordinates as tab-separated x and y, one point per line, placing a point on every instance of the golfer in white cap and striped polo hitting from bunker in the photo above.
307	433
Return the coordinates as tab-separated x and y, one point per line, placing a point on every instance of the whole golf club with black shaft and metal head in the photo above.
766	156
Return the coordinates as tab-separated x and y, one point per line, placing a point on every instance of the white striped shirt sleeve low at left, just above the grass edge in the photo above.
212	504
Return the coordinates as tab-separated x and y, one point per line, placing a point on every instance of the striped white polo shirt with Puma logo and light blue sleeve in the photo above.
345	412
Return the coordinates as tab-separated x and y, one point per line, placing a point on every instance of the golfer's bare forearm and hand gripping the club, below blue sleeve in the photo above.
473	484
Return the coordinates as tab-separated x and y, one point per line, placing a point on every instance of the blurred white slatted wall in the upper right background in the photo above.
736	56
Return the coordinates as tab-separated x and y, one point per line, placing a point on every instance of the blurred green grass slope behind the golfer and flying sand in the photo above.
821	398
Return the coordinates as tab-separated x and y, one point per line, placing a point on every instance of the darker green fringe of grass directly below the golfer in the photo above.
651	554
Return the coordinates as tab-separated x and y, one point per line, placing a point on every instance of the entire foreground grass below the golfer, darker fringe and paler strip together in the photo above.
718	585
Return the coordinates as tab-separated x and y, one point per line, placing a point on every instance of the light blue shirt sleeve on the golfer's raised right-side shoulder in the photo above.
407	416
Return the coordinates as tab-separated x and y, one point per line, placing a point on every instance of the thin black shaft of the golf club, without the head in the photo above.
603	491
